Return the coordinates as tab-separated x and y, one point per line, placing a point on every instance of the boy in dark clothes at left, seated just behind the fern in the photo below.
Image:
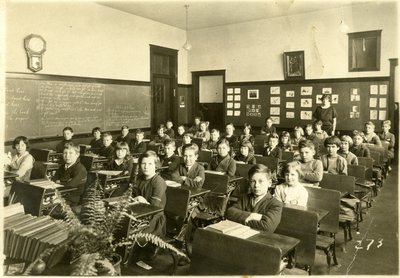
72	174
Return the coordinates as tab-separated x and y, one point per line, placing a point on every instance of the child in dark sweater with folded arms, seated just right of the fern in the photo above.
150	189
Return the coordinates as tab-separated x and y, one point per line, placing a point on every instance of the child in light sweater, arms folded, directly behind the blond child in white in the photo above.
312	169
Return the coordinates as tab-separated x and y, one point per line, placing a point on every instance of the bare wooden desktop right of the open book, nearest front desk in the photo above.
284	243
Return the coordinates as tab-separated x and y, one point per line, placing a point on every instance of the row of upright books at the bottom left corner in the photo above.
27	236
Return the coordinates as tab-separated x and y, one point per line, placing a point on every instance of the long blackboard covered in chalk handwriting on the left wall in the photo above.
41	106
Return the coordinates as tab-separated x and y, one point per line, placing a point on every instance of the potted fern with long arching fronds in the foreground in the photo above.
92	242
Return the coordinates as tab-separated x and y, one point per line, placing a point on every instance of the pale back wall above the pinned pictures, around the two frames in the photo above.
252	51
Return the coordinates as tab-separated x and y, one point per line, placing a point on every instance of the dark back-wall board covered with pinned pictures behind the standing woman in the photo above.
340	87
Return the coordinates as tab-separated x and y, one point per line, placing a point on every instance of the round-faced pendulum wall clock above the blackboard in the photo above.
35	46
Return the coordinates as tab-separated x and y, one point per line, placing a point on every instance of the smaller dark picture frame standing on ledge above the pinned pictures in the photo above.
293	65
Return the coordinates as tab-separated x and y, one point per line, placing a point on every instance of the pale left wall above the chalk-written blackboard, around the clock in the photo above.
89	40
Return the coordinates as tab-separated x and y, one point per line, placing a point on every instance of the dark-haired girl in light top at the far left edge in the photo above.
22	162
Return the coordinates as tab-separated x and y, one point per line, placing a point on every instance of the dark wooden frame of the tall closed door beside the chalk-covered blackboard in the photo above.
155	49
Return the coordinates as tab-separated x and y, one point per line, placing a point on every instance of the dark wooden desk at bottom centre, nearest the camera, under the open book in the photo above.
216	253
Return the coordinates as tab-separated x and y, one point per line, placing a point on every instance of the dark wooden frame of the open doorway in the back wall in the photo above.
196	94
